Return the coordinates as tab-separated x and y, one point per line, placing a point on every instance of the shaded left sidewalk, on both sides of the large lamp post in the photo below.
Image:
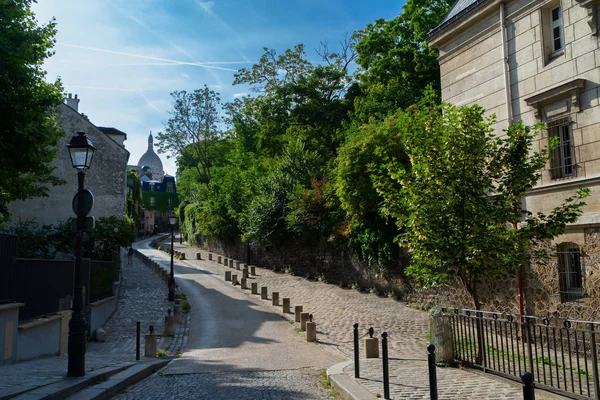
142	298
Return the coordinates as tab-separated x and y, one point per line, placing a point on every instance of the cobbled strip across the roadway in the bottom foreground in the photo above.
276	385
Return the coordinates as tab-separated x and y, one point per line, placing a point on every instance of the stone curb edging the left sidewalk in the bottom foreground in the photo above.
120	381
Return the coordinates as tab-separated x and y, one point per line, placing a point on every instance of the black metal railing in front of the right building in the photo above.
561	353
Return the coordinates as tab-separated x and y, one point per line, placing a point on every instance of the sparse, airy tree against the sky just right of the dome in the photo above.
192	133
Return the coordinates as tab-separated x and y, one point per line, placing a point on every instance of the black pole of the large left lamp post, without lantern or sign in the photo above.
78	323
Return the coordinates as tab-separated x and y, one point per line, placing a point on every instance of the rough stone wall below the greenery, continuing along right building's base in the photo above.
541	286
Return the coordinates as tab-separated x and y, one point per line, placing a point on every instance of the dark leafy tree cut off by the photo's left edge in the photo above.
27	104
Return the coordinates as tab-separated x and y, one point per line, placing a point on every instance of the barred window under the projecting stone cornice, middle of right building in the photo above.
563	157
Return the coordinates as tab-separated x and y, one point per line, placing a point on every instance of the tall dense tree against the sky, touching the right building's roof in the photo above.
396	63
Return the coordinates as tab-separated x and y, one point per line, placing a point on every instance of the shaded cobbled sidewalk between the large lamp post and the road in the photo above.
143	298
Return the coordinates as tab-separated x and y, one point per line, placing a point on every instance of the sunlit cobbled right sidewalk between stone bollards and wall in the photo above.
336	309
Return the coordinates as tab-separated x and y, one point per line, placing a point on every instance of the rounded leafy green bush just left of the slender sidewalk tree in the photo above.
361	171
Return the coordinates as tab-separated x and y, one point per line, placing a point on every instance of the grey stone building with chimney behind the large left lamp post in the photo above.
106	178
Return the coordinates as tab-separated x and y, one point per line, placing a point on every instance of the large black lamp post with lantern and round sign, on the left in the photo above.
81	151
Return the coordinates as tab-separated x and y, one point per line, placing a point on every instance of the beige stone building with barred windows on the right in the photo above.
538	61
